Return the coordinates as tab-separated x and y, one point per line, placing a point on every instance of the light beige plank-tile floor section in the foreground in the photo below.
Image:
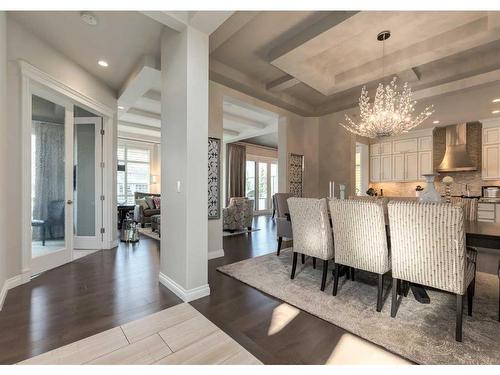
178	335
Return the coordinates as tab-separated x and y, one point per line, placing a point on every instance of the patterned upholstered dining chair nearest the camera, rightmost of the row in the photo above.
428	247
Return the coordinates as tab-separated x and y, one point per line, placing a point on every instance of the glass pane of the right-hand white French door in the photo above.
84	180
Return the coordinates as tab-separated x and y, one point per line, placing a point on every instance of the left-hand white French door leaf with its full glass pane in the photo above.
51	182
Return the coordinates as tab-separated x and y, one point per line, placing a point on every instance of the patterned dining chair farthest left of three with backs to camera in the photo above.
312	234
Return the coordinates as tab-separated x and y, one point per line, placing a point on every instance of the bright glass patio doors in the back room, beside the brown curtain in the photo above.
261	182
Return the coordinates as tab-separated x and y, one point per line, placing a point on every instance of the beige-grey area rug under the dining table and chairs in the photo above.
424	334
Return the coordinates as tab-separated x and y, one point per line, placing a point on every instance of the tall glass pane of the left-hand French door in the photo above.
48	177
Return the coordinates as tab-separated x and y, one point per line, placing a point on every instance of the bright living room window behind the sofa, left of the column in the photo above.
134	170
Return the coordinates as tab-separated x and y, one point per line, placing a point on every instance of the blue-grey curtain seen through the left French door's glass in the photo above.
48	167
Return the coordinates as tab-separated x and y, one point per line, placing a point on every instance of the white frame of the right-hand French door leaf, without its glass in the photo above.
95	241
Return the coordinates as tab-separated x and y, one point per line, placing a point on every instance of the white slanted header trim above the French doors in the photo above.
37	75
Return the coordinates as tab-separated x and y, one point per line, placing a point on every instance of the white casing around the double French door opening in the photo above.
31	77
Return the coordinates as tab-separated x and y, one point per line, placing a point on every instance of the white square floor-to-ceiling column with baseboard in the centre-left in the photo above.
184	147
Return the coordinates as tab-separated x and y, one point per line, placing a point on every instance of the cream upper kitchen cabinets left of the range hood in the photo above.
403	158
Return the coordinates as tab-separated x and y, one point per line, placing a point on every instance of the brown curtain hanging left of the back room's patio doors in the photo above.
236	170
